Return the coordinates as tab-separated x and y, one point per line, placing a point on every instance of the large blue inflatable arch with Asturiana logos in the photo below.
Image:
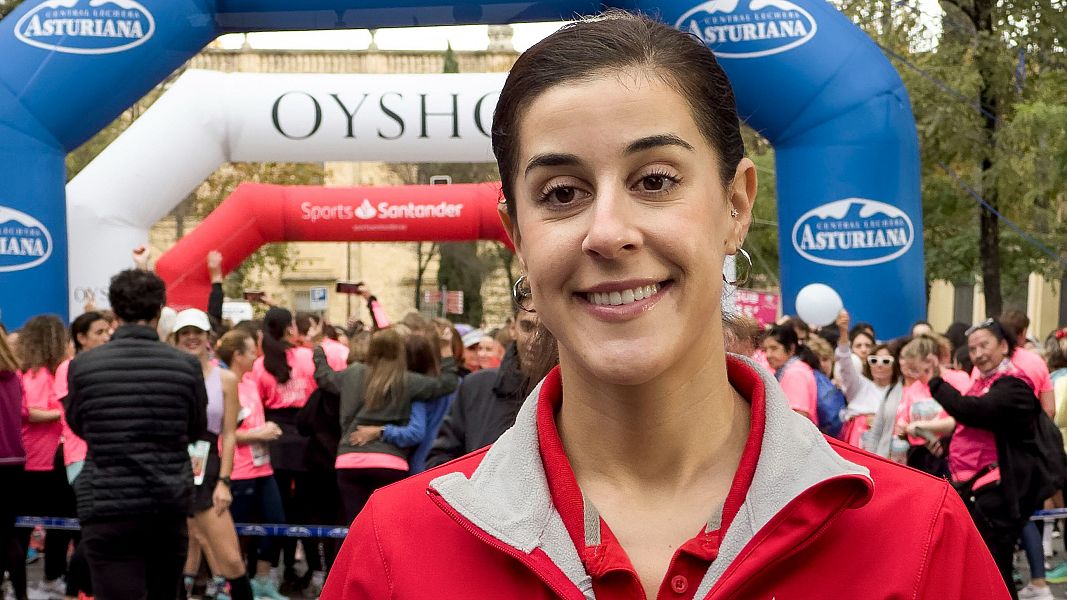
806	77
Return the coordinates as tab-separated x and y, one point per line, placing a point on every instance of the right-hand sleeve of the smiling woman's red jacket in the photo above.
959	564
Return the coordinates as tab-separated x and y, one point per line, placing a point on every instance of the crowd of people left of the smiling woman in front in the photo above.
183	424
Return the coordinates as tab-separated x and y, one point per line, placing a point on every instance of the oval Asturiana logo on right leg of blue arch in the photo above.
854	232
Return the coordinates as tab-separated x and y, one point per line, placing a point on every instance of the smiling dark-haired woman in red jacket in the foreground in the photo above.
649	464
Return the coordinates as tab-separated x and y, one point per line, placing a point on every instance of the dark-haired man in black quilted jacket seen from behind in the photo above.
137	403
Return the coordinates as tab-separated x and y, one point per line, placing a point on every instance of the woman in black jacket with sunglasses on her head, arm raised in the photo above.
993	428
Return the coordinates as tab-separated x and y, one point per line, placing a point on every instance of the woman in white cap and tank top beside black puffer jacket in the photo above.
211	524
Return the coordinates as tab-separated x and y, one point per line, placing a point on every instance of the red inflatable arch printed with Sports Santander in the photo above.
258	214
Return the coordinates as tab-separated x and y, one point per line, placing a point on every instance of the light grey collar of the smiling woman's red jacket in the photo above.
508	495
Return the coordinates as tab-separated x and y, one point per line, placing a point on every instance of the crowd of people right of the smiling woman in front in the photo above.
978	405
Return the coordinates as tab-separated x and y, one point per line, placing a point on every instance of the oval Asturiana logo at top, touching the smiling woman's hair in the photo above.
767	27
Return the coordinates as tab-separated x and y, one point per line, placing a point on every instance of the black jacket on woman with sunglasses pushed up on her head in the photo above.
1010	410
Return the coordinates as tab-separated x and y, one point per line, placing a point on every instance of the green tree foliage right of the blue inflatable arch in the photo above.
1007	58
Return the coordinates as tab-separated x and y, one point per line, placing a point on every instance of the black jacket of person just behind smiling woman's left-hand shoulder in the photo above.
485	408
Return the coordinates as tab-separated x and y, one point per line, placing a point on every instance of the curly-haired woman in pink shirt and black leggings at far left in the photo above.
42	349
